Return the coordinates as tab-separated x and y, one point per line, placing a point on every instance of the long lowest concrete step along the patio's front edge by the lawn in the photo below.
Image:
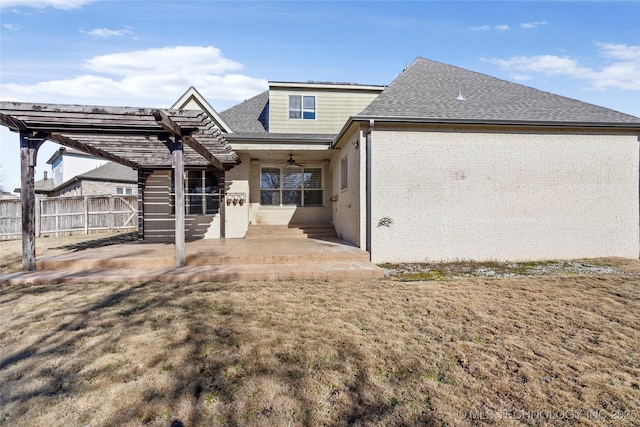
343	271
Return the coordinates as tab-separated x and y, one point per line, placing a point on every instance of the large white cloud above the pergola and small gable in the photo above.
146	78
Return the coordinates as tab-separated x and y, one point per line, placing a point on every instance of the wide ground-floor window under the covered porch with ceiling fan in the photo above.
291	185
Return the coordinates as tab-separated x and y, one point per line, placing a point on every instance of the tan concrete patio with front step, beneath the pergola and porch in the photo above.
206	260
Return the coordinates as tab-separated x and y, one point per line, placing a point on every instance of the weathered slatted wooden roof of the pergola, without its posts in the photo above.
137	137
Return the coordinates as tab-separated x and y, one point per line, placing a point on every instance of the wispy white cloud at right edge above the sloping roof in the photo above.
621	69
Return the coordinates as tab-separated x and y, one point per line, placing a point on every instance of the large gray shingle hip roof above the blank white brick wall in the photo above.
428	90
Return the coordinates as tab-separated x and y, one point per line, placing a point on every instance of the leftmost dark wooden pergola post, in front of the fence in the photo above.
29	145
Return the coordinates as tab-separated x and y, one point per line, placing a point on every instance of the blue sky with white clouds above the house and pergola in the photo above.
147	53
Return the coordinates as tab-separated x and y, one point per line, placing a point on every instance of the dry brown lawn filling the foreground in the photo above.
557	350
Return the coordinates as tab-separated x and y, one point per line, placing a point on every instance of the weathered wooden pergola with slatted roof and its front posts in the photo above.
141	138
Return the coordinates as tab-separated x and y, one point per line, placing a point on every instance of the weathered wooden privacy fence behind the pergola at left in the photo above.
71	215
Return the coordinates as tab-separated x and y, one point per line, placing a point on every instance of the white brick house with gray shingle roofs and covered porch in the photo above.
442	164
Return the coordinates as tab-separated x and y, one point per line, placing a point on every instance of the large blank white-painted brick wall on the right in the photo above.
446	196
